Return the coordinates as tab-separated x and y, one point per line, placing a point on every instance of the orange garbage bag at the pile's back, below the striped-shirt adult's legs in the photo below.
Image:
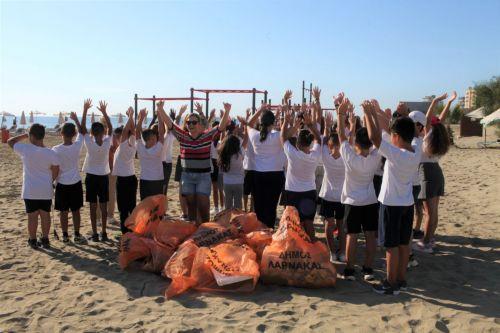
173	232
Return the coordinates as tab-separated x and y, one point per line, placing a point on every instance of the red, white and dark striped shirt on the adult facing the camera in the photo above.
195	152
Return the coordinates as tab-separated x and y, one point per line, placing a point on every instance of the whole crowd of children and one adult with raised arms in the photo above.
377	174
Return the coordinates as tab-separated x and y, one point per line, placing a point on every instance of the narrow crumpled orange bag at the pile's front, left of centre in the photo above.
178	268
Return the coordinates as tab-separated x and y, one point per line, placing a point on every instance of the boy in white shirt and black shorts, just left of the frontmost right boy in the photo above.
358	194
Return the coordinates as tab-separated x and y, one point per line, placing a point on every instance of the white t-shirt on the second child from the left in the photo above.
68	156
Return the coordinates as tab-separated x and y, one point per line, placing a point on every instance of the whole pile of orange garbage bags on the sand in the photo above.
229	254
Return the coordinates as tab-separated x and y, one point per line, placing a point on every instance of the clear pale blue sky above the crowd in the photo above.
55	54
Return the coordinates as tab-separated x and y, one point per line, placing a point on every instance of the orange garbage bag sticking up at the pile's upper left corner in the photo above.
146	215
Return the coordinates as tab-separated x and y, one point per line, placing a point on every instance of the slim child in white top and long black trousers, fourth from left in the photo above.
124	171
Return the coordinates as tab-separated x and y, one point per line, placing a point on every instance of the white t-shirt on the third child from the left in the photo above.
97	157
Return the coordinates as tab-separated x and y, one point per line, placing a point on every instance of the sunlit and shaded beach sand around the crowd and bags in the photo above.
81	287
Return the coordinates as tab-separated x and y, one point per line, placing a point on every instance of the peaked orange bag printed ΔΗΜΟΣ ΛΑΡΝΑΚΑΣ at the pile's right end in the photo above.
292	259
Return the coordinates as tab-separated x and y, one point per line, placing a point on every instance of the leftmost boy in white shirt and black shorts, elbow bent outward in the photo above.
40	169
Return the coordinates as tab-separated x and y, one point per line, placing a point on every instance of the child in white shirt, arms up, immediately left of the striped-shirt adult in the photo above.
149	150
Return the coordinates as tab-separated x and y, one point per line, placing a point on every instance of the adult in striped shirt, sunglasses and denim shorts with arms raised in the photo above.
195	160
